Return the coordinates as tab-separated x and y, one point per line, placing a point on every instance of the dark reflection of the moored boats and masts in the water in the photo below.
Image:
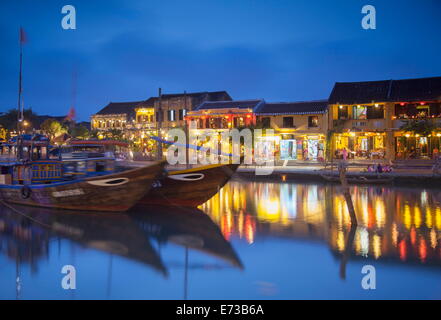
26	234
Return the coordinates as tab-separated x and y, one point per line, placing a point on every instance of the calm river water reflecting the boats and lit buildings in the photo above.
253	240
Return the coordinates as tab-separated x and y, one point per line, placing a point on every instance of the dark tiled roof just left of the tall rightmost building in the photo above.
302	107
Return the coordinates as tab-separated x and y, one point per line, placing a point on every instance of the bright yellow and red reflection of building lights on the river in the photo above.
394	224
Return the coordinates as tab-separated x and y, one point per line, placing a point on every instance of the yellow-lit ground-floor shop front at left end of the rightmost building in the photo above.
360	145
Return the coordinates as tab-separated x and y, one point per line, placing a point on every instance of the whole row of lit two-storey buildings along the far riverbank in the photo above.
370	120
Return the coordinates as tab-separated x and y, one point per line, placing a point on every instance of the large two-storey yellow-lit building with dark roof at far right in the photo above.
390	119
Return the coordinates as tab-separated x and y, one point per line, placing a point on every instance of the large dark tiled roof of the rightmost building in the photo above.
387	90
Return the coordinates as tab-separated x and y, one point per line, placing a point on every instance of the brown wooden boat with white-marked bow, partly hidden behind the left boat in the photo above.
190	187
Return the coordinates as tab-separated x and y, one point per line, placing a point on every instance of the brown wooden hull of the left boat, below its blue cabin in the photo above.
114	192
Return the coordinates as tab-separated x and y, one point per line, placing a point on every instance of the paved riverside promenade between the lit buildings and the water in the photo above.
405	172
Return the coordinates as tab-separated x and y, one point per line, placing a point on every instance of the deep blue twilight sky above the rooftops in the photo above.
281	50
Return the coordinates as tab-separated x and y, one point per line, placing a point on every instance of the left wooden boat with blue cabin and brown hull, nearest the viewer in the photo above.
36	180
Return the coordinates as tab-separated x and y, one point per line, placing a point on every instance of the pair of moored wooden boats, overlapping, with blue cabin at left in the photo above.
83	177
